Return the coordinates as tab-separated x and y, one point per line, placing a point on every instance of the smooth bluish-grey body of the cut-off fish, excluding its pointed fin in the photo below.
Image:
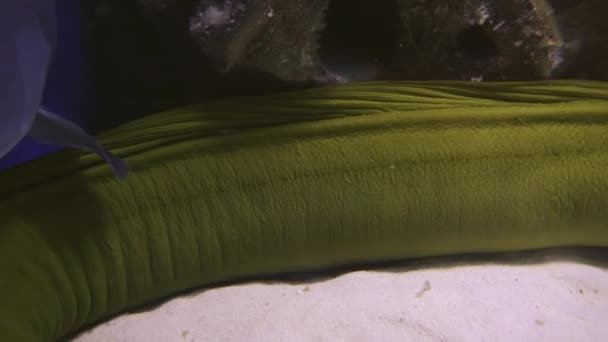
27	35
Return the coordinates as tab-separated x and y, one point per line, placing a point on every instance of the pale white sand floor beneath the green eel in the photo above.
513	301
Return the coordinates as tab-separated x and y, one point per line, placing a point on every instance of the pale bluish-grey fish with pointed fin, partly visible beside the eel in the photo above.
27	40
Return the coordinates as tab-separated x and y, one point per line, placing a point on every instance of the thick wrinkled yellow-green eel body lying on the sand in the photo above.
300	181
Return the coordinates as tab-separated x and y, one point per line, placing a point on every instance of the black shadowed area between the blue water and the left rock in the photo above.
142	63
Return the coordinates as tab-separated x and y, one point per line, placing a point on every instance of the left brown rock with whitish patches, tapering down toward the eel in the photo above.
279	37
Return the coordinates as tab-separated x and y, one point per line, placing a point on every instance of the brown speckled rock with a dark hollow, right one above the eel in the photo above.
478	39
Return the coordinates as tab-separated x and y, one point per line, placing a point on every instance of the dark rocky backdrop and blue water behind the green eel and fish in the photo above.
118	60
